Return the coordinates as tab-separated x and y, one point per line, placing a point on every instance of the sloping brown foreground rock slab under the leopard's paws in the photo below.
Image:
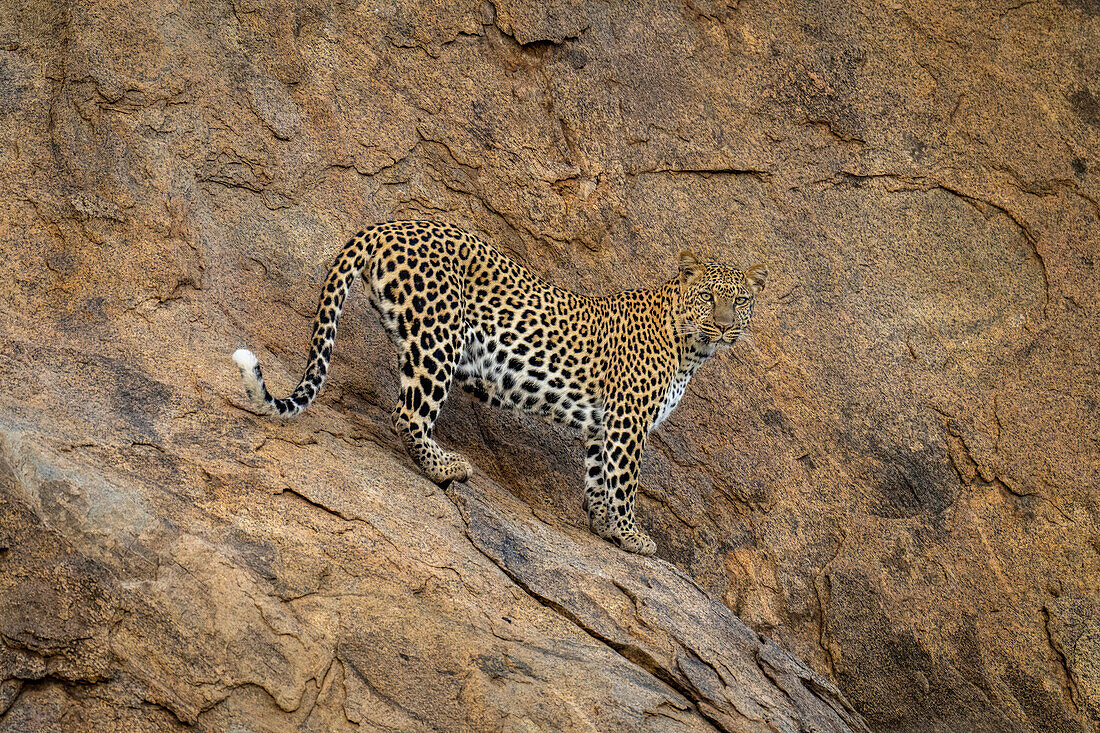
342	589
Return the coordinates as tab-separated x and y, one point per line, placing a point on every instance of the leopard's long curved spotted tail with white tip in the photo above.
348	265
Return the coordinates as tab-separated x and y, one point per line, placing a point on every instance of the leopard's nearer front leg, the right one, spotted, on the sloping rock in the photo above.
625	439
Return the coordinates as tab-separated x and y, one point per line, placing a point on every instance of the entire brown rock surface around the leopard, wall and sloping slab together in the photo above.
897	480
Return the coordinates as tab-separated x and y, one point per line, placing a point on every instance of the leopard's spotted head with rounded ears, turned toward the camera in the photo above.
717	304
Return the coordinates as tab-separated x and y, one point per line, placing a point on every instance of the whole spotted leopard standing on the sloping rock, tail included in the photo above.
612	369
